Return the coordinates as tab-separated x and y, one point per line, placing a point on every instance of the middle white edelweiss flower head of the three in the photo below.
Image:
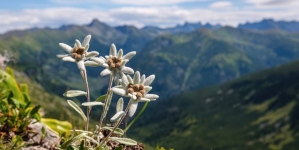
115	63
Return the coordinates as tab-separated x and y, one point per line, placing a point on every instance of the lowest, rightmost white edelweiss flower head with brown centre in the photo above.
136	88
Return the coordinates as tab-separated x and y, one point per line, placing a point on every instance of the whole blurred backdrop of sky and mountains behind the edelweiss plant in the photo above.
226	71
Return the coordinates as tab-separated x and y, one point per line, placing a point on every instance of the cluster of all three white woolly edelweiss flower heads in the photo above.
137	88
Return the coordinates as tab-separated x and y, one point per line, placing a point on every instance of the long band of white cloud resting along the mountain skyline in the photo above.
161	16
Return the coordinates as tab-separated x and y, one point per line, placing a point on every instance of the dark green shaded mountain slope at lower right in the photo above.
258	111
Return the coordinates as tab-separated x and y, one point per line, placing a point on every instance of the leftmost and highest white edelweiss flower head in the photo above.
79	53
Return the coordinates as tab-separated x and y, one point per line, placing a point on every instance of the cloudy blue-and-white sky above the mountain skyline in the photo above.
21	14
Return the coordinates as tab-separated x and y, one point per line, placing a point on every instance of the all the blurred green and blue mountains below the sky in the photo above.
184	58
